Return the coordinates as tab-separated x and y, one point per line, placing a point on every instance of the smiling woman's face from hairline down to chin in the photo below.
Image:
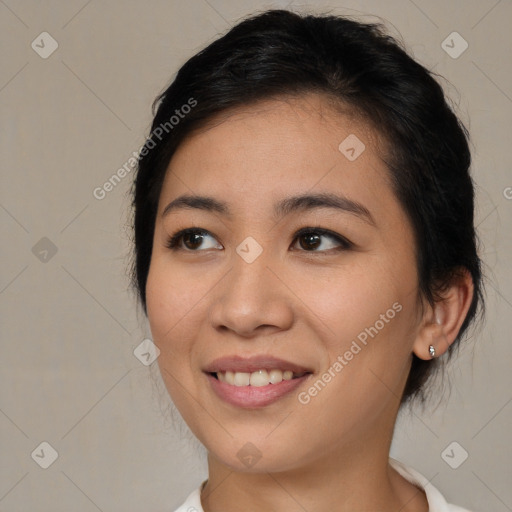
278	348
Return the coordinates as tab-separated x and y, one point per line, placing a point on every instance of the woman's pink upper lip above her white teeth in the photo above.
253	364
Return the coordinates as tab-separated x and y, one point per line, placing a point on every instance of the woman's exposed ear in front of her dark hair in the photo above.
442	322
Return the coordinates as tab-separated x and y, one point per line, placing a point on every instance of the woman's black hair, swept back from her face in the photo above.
279	53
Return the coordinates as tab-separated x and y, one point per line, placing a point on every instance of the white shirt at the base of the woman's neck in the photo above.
436	502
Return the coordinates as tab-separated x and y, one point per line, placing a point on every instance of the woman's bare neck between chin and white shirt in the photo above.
348	477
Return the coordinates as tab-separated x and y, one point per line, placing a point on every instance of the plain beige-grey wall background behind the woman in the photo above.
69	376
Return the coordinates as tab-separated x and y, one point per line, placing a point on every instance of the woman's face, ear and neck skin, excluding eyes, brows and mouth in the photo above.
301	303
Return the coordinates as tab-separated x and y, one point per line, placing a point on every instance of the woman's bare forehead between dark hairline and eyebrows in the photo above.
259	153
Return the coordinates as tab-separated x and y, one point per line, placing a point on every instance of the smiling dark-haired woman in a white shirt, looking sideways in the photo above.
305	253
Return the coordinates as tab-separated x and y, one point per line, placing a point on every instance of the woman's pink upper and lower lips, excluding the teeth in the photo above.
252	397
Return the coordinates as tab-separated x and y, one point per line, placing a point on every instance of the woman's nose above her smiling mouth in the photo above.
252	299
